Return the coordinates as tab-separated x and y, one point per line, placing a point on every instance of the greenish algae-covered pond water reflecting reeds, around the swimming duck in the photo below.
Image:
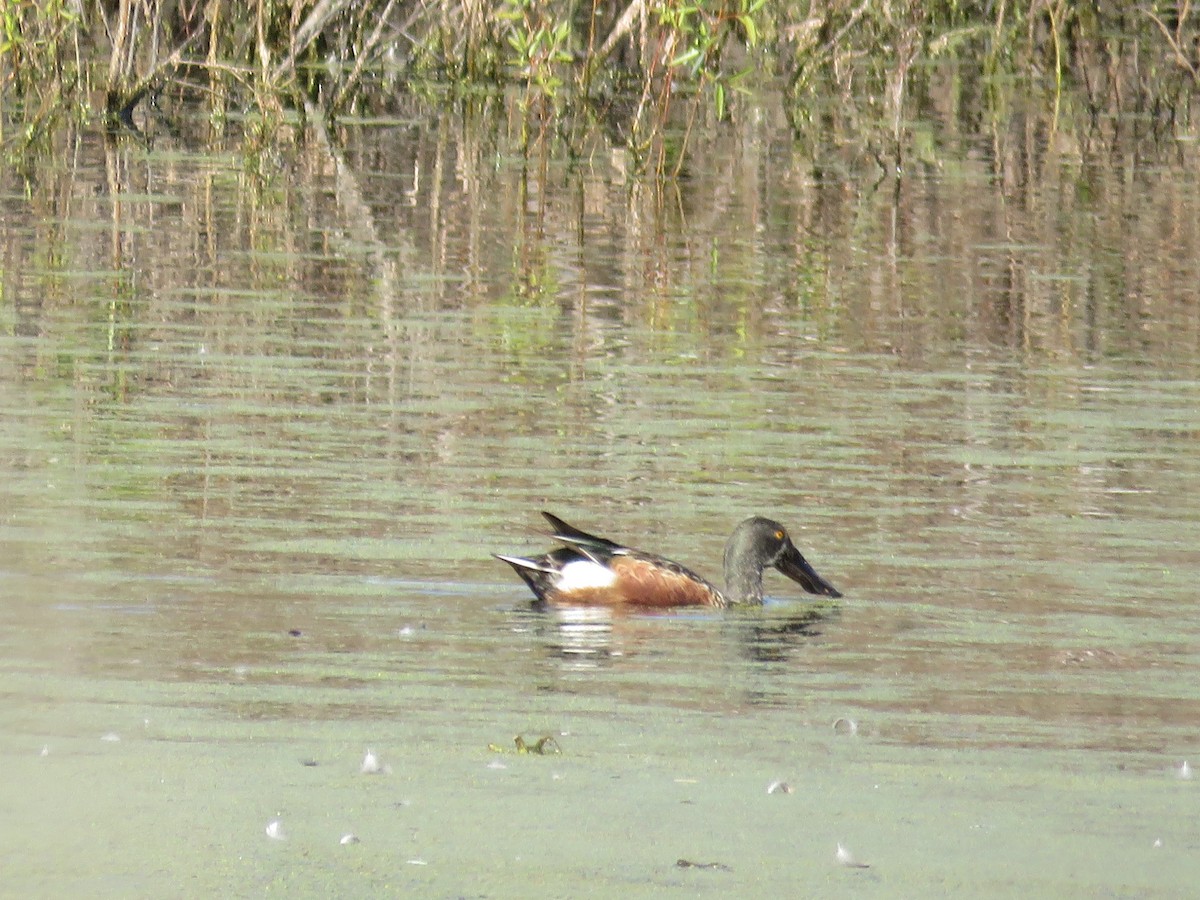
261	437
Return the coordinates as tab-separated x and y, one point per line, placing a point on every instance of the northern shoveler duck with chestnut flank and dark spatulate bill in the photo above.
597	572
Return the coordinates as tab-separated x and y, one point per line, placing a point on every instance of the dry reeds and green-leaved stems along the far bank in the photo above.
643	74
